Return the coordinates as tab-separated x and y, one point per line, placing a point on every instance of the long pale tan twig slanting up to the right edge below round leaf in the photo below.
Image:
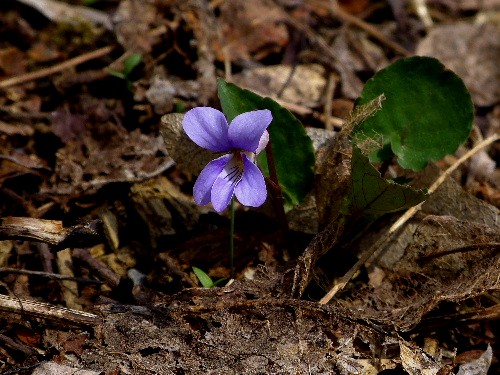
379	245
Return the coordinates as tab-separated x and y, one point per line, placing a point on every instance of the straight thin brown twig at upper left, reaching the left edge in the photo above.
56	68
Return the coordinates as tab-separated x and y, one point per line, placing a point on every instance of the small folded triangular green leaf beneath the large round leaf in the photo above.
372	194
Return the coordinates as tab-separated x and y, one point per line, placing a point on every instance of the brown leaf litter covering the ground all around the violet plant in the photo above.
86	148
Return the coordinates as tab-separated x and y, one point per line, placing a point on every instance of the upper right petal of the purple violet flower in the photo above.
246	129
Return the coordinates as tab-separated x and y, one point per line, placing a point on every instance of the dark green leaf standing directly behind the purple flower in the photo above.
292	148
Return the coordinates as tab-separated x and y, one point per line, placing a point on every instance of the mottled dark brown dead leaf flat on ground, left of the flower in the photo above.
87	164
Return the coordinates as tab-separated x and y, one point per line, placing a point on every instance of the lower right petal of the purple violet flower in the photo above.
251	190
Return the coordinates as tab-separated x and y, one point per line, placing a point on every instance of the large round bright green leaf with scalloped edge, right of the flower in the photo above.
427	113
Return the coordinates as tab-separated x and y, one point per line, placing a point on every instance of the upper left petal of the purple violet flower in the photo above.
208	128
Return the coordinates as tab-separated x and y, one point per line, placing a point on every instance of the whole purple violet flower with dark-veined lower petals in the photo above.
235	172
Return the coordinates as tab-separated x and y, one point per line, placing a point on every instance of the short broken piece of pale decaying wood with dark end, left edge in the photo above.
50	231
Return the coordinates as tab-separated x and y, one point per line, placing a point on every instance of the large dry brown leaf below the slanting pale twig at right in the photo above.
435	258
